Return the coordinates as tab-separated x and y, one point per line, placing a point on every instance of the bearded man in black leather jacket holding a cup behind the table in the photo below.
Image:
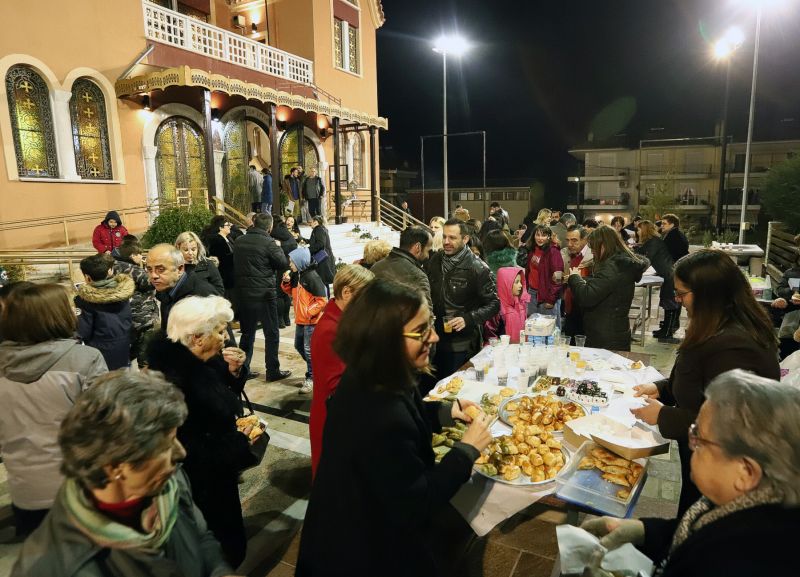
463	289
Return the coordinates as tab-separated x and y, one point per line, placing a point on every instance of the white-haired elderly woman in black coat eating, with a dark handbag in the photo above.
191	355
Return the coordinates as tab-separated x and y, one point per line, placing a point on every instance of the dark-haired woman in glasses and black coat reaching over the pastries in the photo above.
377	486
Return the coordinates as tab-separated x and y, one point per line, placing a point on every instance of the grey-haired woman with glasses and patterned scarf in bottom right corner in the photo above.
746	463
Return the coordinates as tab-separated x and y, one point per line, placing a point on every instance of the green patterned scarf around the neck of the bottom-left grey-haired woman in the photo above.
158	519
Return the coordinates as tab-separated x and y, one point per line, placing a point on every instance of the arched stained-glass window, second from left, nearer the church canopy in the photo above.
87	110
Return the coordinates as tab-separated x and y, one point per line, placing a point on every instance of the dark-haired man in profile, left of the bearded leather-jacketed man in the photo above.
404	264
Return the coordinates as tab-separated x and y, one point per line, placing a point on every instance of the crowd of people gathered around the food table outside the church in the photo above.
92	447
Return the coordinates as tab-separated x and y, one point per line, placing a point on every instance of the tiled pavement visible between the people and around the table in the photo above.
274	494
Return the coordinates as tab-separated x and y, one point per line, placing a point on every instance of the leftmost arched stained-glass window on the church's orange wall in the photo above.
31	123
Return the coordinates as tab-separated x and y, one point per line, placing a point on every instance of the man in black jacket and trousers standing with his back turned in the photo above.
257	260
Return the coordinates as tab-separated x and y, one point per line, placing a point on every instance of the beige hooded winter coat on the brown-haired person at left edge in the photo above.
38	386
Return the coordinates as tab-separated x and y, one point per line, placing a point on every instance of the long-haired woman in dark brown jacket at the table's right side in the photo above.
727	330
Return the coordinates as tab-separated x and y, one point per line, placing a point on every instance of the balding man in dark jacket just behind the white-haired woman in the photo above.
171	281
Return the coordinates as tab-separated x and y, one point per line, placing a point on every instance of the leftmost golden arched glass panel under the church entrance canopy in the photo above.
181	161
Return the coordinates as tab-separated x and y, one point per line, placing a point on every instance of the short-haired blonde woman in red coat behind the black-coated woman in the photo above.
326	366
